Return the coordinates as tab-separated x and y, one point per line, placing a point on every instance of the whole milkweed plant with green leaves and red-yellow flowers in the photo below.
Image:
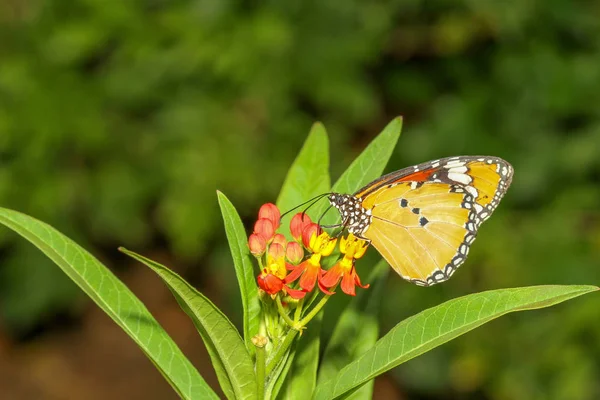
287	270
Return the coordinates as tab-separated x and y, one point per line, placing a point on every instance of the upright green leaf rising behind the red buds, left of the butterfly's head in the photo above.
309	174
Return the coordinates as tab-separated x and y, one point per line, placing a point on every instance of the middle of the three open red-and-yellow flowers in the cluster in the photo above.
310	271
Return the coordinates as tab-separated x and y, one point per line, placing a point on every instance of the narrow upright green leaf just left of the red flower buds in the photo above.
244	269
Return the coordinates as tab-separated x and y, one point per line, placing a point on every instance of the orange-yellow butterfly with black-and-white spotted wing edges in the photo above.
423	219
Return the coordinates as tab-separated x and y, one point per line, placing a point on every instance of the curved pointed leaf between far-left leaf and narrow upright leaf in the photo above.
227	351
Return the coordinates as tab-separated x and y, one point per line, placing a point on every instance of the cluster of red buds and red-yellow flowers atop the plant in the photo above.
299	262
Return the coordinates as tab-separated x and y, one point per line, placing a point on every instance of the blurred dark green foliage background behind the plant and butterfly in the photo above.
120	119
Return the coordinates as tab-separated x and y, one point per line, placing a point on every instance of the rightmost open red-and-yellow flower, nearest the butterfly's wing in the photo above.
353	249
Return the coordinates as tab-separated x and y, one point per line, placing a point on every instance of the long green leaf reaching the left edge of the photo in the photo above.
116	300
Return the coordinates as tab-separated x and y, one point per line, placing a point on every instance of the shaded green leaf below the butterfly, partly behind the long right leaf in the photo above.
358	321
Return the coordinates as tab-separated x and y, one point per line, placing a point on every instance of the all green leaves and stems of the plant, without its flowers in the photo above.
264	364
